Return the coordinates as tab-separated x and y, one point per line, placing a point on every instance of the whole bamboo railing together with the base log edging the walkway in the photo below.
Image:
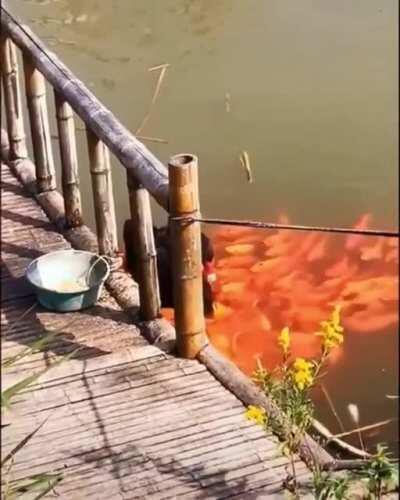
175	189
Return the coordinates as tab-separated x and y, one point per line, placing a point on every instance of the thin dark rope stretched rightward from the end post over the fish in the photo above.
271	225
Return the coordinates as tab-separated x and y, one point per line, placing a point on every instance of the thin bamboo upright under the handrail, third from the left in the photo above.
69	162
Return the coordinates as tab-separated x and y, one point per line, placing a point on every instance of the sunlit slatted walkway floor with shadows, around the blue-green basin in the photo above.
125	420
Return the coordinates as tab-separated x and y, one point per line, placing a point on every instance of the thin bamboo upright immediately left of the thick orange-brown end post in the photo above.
144	247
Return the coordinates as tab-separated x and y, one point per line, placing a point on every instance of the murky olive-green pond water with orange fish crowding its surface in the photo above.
309	90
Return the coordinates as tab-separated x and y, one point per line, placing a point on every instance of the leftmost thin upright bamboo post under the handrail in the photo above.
12	100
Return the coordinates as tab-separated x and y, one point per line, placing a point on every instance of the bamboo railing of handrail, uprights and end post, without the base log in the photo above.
146	175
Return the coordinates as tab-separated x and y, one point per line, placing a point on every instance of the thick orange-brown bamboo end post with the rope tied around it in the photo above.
187	264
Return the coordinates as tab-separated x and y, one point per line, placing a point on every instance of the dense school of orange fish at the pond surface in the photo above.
270	279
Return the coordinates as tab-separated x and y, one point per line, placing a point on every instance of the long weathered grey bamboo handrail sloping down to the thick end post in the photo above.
134	155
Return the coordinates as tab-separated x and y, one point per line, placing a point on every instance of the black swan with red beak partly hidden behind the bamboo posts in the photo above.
164	264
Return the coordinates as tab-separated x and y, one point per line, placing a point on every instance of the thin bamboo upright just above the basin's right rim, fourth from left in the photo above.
102	195
